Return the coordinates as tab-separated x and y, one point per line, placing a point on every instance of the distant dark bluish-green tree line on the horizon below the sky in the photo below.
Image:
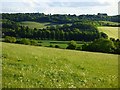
57	18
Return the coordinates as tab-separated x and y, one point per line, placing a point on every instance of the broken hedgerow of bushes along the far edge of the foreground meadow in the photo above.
99	45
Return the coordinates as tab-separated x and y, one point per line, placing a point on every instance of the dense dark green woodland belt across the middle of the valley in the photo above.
76	31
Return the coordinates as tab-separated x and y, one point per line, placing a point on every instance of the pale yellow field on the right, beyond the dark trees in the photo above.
110	31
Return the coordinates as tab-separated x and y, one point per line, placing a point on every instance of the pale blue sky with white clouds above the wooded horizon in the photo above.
77	7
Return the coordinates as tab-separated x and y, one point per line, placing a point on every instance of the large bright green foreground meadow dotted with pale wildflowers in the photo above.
26	66
